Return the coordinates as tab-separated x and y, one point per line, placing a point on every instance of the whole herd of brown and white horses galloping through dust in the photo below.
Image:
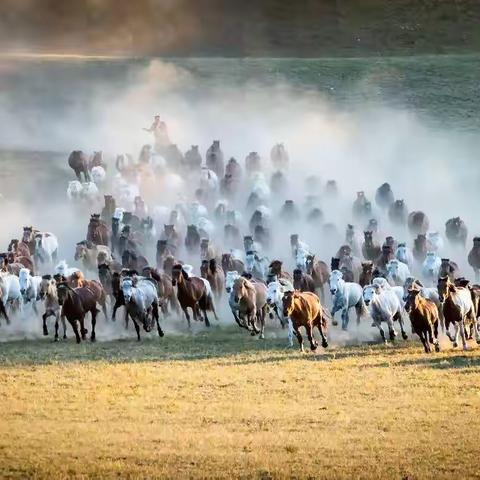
226	220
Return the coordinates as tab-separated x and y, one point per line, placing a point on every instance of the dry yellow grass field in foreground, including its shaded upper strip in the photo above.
223	405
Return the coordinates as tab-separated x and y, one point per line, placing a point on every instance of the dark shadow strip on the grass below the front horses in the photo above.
228	344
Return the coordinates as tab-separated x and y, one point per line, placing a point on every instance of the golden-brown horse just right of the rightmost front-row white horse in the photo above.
424	317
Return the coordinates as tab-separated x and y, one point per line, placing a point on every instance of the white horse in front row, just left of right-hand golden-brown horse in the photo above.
384	306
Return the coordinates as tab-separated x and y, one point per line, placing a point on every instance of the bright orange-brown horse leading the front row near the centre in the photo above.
305	310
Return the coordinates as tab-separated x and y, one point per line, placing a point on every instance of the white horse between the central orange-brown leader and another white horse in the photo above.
345	296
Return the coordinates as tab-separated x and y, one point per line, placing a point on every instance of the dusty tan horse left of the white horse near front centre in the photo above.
251	304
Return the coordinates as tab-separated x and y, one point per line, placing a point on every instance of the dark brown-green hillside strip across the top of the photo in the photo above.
247	28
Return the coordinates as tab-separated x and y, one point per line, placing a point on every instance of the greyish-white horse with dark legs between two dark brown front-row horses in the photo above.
141	301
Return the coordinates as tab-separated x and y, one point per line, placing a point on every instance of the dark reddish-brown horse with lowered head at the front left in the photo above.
76	303
